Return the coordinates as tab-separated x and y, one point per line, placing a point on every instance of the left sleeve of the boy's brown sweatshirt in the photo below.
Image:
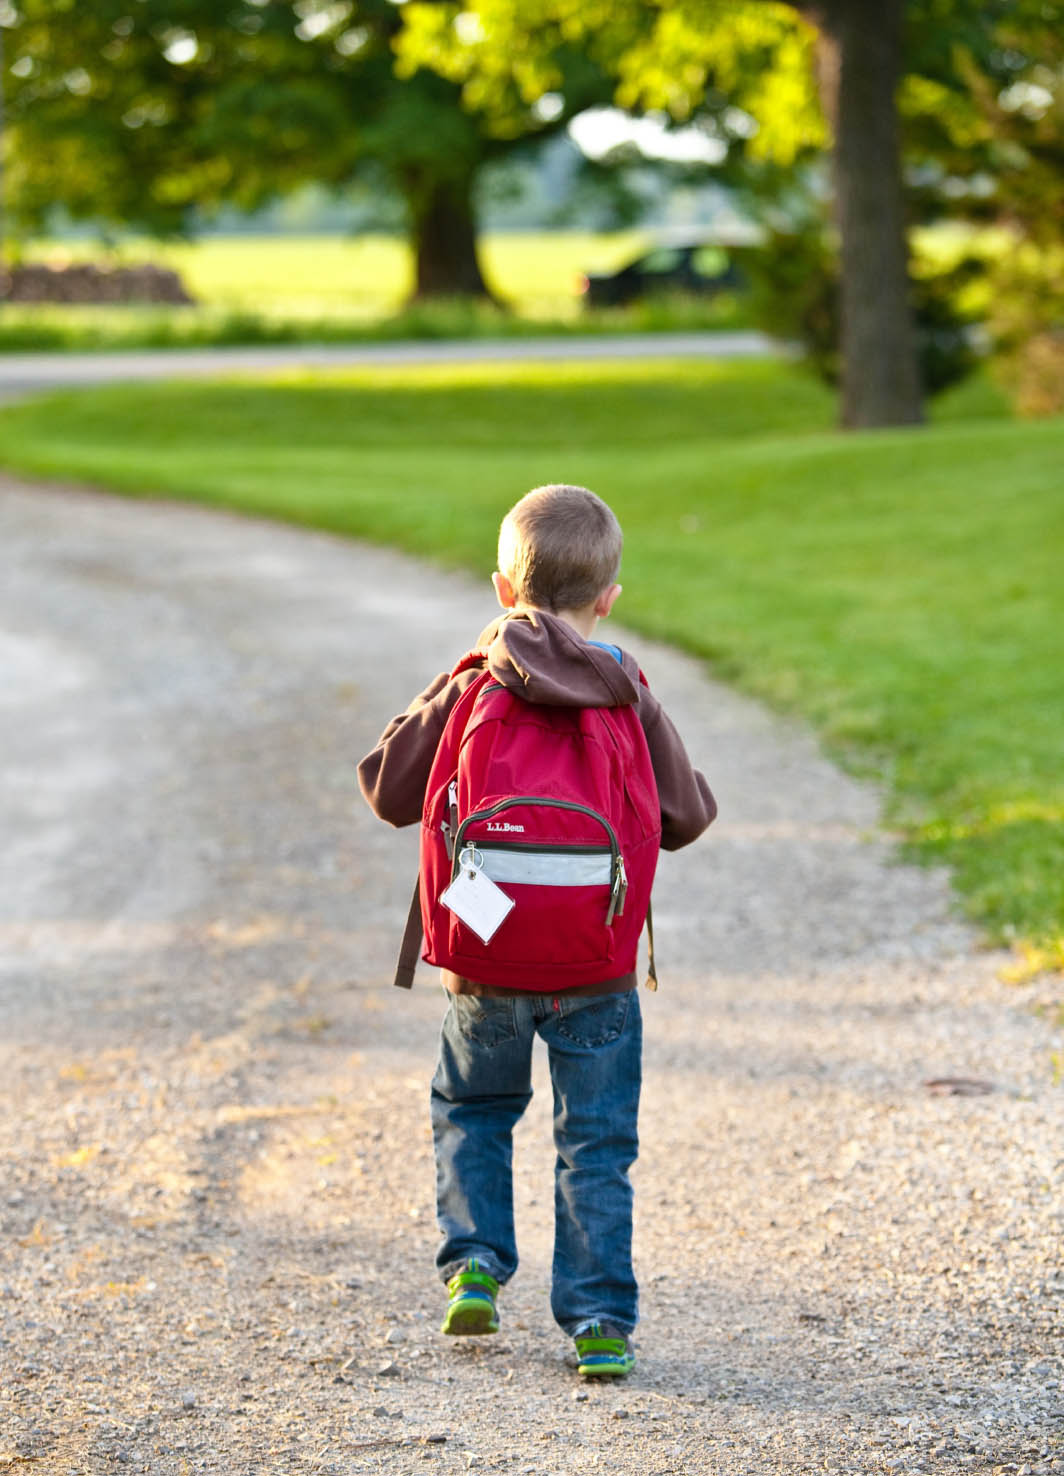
393	777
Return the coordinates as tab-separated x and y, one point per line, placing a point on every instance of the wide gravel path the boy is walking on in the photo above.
216	1187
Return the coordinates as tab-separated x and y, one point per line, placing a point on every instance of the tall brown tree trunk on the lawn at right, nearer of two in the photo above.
861	67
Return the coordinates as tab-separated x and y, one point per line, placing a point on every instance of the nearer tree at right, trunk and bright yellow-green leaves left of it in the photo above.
728	66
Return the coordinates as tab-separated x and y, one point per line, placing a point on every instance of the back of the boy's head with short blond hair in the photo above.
560	547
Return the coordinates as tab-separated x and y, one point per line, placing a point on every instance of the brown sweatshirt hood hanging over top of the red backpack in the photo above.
545	661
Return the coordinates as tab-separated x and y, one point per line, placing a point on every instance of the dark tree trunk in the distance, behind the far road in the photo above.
445	238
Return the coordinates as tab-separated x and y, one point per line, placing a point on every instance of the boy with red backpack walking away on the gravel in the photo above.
560	553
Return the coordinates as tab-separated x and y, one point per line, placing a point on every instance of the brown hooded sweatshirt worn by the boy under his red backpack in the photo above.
544	659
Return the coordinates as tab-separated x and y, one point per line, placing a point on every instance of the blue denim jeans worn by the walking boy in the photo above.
483	1084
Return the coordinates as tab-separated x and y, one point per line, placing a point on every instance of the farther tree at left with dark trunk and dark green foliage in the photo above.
144	111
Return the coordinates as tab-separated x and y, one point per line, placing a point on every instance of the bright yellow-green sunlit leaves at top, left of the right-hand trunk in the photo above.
745	70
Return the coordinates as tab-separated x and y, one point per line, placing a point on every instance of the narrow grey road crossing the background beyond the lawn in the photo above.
24	374
